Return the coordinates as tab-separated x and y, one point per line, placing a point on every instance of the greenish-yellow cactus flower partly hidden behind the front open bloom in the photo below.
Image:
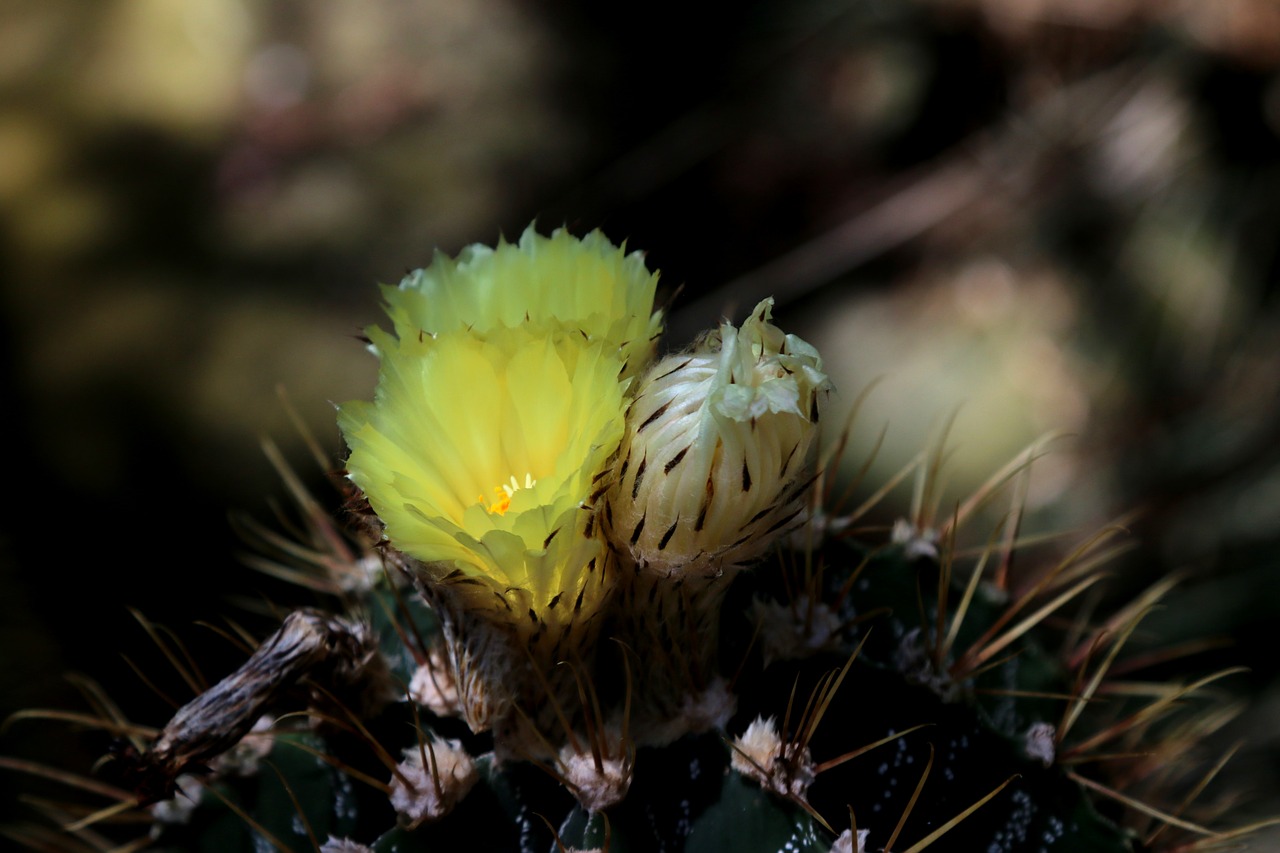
548	285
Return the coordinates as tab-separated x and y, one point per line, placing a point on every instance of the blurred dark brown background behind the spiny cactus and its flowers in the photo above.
1052	215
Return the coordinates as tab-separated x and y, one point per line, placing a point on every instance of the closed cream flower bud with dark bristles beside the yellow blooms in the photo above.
717	440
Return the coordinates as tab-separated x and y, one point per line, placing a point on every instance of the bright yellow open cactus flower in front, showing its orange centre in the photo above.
478	455
